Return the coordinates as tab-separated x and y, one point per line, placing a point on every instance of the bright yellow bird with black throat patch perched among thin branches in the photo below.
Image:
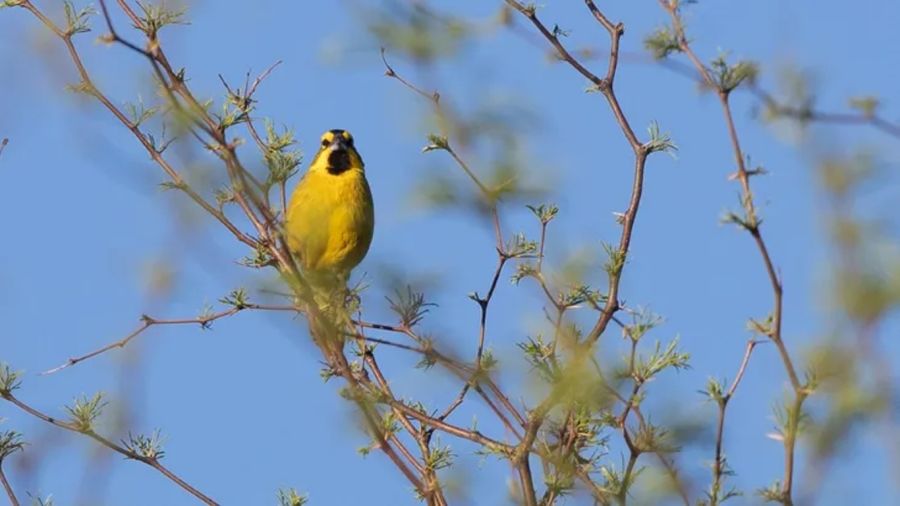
331	217
